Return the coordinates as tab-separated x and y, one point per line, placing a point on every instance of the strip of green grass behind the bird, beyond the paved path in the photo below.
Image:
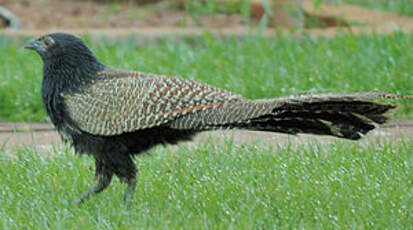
254	67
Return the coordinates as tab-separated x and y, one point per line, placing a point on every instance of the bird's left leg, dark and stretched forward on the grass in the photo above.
102	181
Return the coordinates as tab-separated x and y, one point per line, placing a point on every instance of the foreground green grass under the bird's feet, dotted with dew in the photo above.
342	185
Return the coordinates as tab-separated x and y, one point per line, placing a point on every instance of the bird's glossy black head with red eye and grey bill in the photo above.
68	62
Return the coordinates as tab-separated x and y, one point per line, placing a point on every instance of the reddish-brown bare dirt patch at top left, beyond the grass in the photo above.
66	14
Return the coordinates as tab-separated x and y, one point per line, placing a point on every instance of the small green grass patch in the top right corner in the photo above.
402	7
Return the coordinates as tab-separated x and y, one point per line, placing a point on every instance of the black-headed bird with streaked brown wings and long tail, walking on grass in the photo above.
113	115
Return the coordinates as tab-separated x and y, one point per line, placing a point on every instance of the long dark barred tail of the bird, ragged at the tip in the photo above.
347	116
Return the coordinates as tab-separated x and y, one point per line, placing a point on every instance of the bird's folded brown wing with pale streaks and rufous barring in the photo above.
116	102
